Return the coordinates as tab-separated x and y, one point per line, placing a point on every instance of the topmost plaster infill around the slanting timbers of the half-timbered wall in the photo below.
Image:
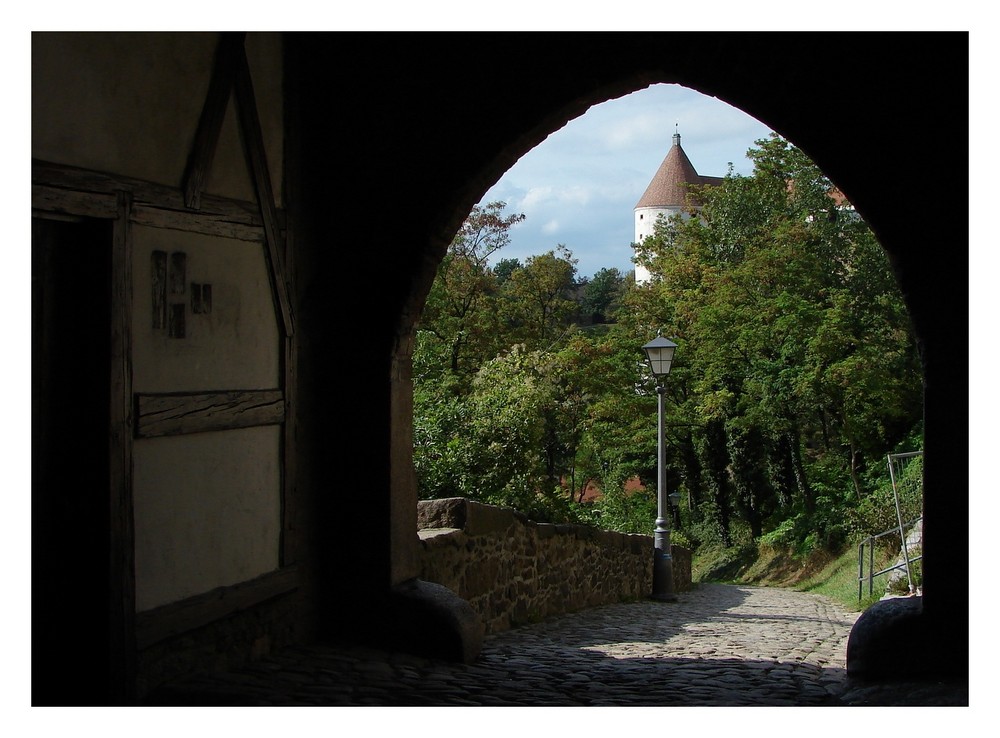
129	103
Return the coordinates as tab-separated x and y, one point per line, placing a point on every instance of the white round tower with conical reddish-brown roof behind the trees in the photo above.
667	194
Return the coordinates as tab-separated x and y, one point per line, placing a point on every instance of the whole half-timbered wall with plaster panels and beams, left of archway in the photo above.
123	129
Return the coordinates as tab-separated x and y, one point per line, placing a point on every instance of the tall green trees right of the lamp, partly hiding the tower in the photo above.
787	313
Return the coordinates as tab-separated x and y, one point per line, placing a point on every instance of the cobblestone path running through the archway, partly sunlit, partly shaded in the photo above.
718	645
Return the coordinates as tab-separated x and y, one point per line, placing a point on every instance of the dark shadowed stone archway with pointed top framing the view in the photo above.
390	156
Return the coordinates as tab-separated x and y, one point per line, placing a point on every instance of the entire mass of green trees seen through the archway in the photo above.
796	370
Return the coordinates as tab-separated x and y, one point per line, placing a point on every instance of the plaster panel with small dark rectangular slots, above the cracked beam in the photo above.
236	346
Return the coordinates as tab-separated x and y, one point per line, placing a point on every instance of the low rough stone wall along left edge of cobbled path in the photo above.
514	571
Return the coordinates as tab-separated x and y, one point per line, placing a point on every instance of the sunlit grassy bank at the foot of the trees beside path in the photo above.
833	575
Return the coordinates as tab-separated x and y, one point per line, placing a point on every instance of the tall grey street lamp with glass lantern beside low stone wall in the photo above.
659	356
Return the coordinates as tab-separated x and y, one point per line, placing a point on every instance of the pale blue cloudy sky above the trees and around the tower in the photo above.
578	187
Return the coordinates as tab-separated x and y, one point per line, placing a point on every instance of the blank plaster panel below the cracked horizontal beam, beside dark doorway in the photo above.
207	512
